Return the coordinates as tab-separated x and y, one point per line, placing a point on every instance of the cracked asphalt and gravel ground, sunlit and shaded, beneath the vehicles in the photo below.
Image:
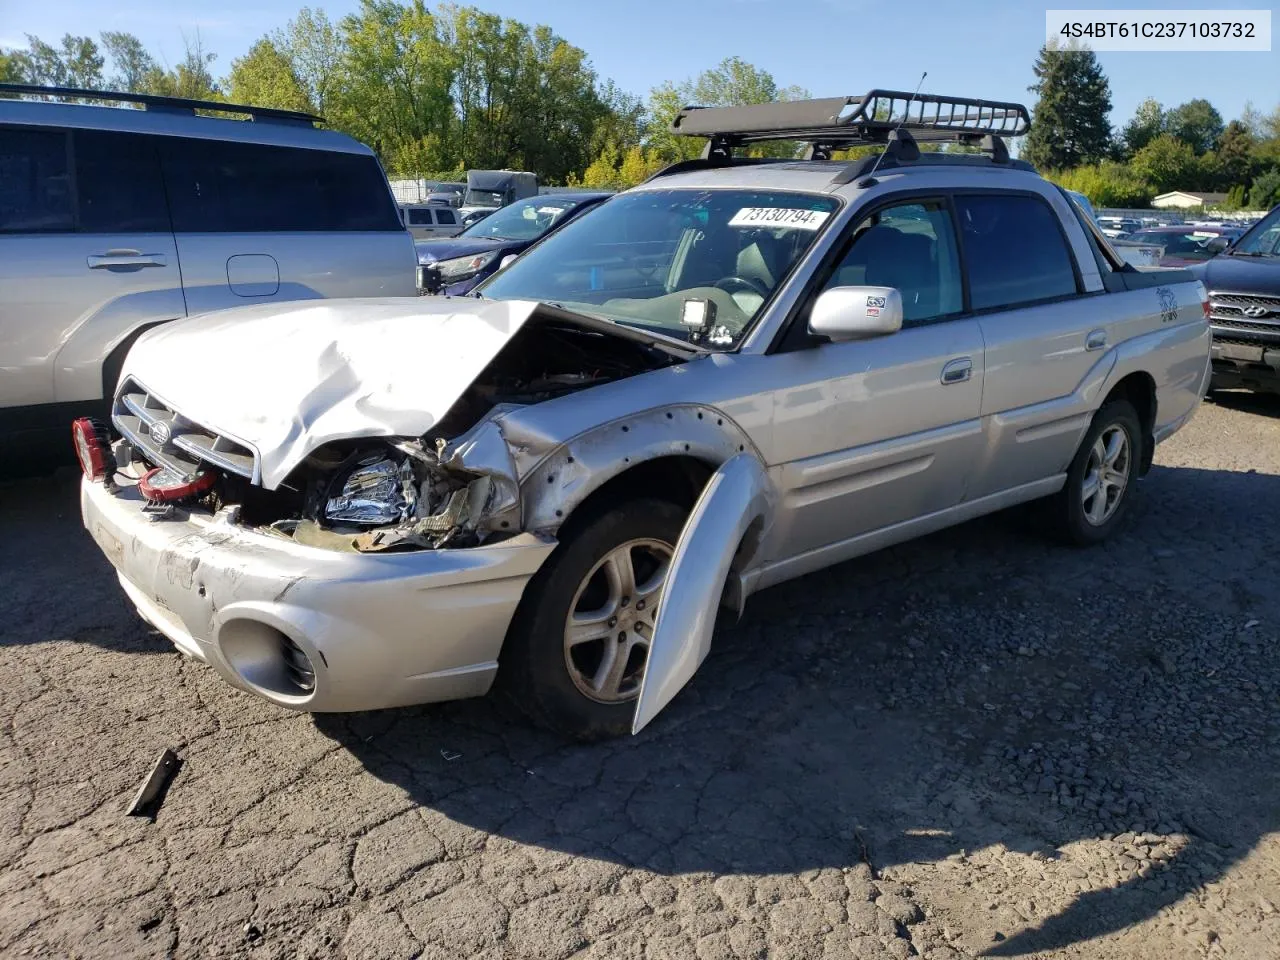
973	746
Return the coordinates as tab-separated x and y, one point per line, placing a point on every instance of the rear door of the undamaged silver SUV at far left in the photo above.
86	258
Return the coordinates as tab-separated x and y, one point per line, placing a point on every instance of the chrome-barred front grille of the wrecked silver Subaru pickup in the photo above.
172	441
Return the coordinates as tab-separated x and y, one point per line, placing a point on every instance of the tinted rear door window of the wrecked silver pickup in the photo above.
1014	252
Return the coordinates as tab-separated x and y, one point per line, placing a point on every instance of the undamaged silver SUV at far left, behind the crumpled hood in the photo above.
113	221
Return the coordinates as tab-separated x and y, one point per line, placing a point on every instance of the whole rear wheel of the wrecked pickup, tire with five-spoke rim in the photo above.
1084	520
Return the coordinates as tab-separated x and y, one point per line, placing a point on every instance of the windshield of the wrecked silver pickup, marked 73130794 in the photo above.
642	255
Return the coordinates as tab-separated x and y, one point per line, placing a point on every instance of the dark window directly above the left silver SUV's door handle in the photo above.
118	184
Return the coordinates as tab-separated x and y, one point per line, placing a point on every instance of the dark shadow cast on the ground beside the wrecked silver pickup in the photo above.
908	707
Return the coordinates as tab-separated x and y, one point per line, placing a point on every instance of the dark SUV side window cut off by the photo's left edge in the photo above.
35	182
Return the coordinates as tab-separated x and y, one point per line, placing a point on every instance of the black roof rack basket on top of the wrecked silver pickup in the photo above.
829	124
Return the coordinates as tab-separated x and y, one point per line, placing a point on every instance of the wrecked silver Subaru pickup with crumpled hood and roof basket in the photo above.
735	374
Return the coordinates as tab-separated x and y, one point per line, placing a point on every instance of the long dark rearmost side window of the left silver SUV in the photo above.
227	188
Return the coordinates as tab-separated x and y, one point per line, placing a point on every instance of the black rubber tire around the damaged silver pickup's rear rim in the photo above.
1067	511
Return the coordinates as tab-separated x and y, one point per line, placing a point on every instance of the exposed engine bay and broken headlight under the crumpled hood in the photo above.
380	495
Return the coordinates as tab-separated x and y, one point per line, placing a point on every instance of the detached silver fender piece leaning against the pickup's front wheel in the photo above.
738	496
